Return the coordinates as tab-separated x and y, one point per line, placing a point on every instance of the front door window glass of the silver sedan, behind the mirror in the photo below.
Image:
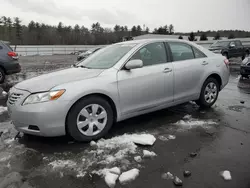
151	54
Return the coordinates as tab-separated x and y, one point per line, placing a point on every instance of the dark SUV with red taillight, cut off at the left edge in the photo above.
8	61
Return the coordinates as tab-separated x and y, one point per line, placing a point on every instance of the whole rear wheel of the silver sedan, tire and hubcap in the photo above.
209	93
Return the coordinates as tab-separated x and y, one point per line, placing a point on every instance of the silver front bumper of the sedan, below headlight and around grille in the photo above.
48	117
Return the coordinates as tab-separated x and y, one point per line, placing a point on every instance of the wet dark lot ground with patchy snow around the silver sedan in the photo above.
204	142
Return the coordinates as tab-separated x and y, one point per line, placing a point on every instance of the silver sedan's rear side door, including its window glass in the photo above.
189	66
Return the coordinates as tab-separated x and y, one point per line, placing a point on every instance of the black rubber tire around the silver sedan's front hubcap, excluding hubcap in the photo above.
71	123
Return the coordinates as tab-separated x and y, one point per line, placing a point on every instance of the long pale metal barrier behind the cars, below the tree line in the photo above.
29	50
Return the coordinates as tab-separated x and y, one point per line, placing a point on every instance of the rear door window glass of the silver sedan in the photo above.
181	51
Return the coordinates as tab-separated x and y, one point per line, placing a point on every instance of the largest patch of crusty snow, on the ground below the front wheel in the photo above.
103	155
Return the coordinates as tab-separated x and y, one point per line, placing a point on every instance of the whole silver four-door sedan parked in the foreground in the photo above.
118	82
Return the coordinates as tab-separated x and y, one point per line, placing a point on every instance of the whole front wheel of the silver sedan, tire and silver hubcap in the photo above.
90	119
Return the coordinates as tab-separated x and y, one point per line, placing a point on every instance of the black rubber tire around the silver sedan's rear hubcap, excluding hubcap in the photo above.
201	101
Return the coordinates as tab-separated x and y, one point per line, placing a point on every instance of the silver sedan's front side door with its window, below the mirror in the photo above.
150	86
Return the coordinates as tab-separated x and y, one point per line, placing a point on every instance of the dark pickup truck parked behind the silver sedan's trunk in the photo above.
230	48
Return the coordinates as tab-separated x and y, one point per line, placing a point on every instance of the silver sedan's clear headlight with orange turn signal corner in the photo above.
43	97
